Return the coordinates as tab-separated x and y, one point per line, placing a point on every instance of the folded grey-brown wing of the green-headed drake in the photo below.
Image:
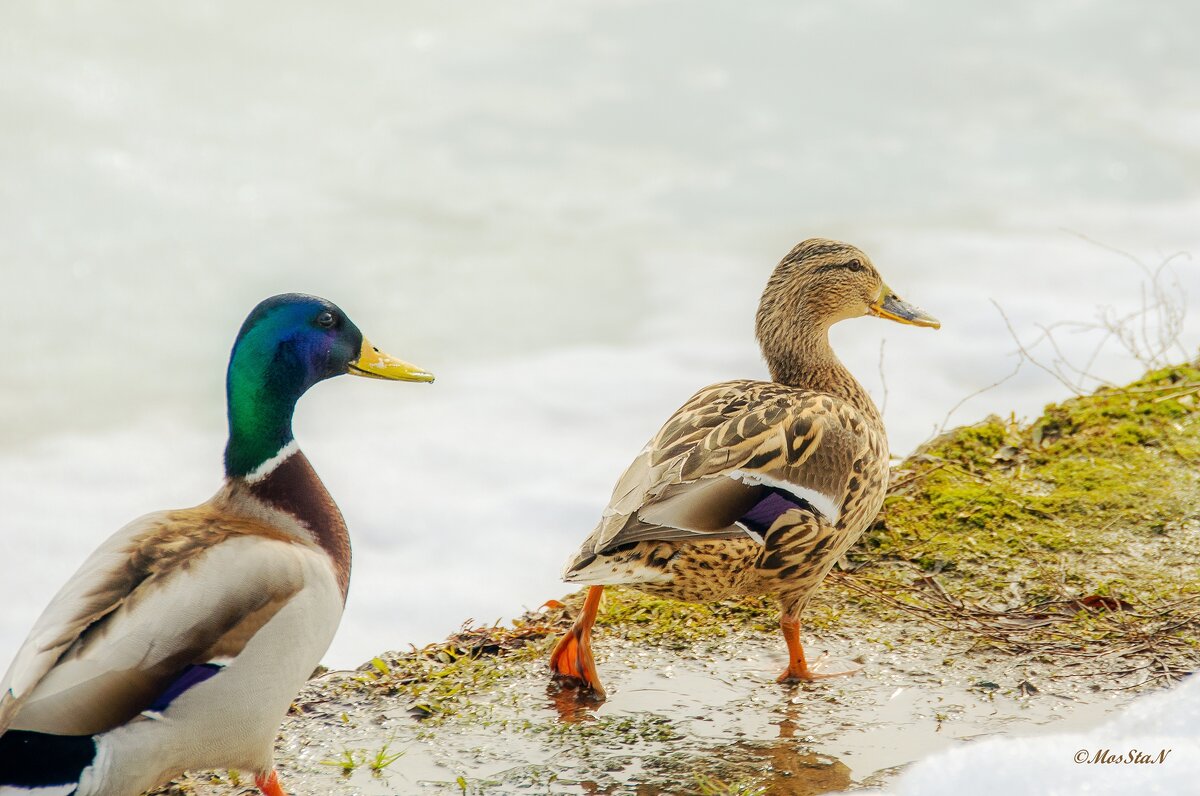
157	599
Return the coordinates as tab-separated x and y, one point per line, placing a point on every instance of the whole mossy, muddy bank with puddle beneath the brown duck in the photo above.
1018	574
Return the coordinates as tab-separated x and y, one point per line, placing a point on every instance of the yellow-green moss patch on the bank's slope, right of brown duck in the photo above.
1065	504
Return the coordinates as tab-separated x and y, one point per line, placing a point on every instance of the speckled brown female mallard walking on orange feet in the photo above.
754	488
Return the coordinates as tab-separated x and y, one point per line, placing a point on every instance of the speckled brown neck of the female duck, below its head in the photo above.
802	357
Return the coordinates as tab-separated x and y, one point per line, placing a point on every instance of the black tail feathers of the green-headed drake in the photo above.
39	764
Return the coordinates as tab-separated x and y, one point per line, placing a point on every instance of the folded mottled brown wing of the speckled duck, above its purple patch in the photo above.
719	456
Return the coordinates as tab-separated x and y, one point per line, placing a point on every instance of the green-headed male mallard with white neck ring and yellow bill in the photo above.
182	642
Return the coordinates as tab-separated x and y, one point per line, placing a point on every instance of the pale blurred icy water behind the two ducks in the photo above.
568	213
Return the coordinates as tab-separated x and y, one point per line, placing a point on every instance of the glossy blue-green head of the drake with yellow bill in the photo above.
289	344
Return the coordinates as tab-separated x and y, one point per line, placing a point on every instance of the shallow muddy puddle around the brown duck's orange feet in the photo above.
677	720
